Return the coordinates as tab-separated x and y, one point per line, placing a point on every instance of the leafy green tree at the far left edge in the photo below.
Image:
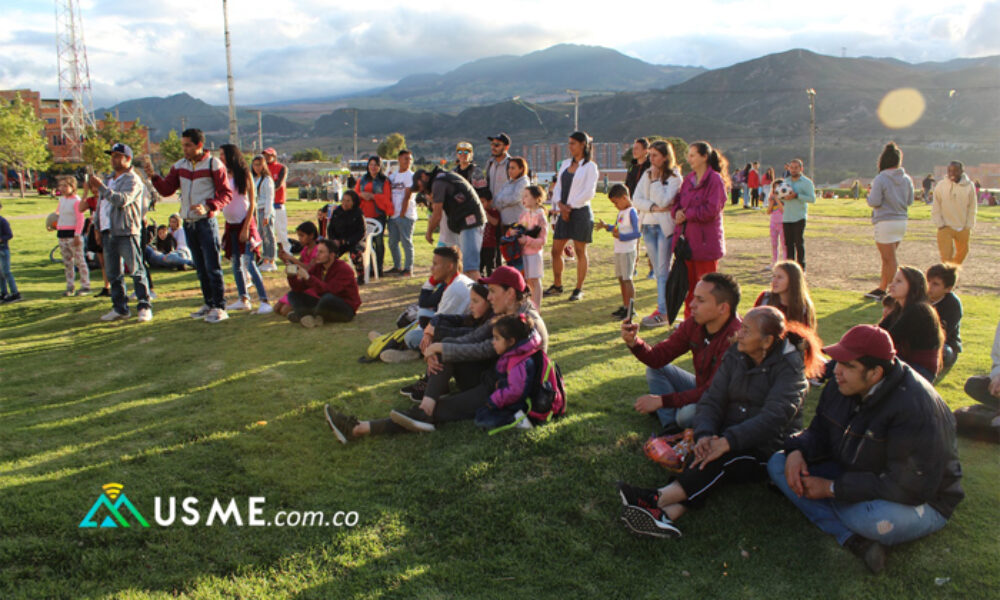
22	144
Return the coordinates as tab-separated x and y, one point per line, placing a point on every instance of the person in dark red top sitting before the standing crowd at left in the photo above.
322	291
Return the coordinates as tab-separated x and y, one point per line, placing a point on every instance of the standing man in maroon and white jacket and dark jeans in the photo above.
204	188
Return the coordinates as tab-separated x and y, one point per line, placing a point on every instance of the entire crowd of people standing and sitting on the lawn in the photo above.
877	465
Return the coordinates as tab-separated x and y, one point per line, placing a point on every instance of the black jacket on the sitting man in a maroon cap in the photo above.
897	444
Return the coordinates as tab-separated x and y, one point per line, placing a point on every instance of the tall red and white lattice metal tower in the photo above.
76	106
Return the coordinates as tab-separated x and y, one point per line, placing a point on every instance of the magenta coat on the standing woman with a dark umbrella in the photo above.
702	204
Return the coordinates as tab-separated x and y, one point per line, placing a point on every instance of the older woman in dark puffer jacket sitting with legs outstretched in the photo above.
752	405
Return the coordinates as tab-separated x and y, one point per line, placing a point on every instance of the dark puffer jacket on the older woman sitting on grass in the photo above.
755	407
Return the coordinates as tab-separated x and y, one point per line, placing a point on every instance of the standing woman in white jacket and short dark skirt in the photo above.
574	190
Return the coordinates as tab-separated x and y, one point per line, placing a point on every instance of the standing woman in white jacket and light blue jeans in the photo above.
654	197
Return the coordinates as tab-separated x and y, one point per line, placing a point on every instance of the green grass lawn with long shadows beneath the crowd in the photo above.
181	408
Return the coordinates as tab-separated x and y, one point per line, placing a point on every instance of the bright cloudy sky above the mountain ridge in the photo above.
310	48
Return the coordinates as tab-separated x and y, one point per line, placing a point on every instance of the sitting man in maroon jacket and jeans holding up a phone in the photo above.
673	391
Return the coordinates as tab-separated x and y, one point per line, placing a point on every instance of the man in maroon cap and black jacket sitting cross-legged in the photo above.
878	465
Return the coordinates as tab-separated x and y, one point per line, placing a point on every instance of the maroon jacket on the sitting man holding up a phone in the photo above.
706	355
